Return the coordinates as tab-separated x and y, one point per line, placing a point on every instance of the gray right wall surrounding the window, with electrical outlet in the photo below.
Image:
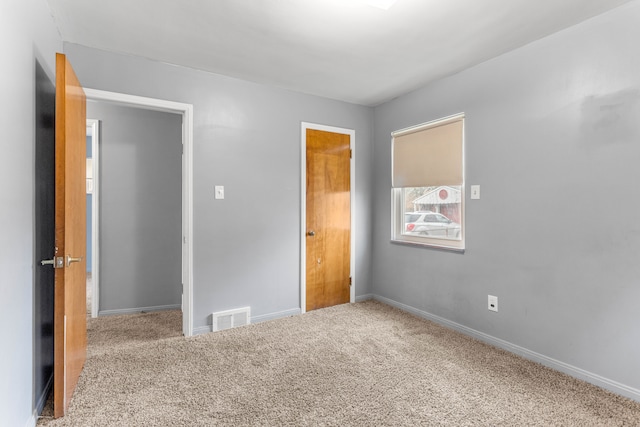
553	138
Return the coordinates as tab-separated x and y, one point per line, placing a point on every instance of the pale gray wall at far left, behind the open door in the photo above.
27	34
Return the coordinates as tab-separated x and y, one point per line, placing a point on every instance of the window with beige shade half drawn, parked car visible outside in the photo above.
428	184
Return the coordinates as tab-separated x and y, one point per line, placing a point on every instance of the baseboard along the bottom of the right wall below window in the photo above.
600	381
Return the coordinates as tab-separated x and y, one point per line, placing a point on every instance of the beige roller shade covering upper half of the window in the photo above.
429	154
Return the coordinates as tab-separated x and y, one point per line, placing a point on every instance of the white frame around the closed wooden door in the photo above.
303	207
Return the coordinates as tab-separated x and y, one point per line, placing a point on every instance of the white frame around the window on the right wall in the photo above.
397	199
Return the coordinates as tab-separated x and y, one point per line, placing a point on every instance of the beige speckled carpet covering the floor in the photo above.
364	364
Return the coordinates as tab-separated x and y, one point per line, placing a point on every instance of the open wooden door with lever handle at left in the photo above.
70	317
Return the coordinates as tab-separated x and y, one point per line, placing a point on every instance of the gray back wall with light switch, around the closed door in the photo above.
247	138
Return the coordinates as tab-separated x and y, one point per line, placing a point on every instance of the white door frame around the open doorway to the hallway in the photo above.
186	111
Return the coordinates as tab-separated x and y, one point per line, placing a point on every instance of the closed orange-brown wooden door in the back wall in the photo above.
328	240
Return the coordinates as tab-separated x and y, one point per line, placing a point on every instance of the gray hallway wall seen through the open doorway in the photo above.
140	207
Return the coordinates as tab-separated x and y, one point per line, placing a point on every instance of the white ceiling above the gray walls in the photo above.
340	49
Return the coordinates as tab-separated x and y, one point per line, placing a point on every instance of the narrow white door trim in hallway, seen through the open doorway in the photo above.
95	215
